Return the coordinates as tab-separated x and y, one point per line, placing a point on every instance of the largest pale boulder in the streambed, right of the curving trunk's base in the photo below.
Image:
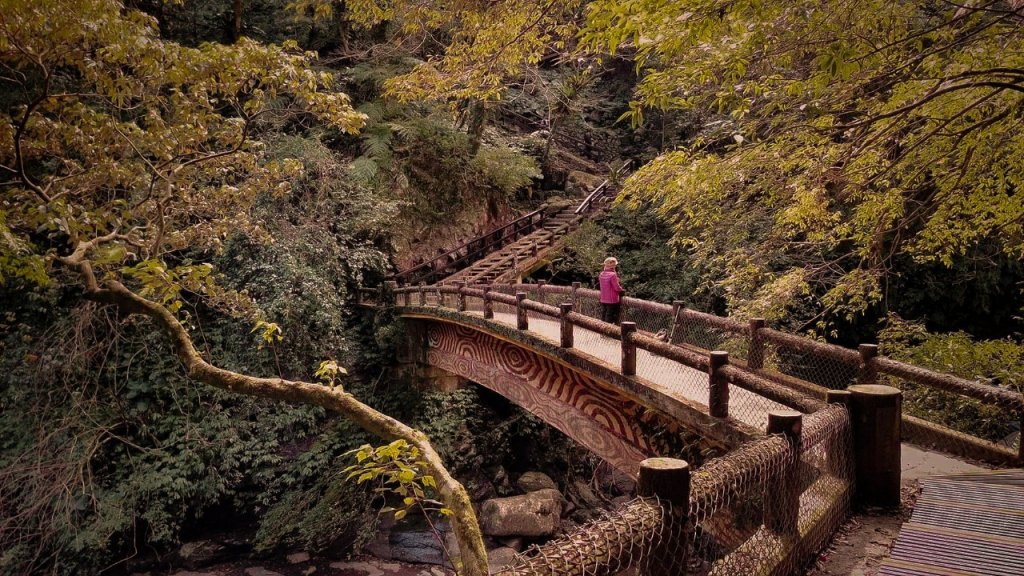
537	514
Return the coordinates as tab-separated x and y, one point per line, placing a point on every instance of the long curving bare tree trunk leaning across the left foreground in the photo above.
474	556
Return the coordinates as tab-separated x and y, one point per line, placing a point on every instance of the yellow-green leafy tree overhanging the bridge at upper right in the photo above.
839	137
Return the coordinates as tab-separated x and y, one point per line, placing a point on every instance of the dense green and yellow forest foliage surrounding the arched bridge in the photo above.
830	152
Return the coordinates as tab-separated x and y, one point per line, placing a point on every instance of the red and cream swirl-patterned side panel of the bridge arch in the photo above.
598	418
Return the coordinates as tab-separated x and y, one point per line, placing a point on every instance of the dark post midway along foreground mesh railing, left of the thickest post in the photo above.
783	504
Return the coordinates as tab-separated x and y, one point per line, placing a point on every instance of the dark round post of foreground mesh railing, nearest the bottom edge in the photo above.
669	481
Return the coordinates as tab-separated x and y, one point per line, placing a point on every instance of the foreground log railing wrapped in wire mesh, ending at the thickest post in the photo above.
762	509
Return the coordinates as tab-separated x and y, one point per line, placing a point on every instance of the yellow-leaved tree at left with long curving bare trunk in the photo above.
120	152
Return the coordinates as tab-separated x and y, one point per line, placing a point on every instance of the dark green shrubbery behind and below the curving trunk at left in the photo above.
105	444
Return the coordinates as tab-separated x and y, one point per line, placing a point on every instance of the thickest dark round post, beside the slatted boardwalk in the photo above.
875	416
